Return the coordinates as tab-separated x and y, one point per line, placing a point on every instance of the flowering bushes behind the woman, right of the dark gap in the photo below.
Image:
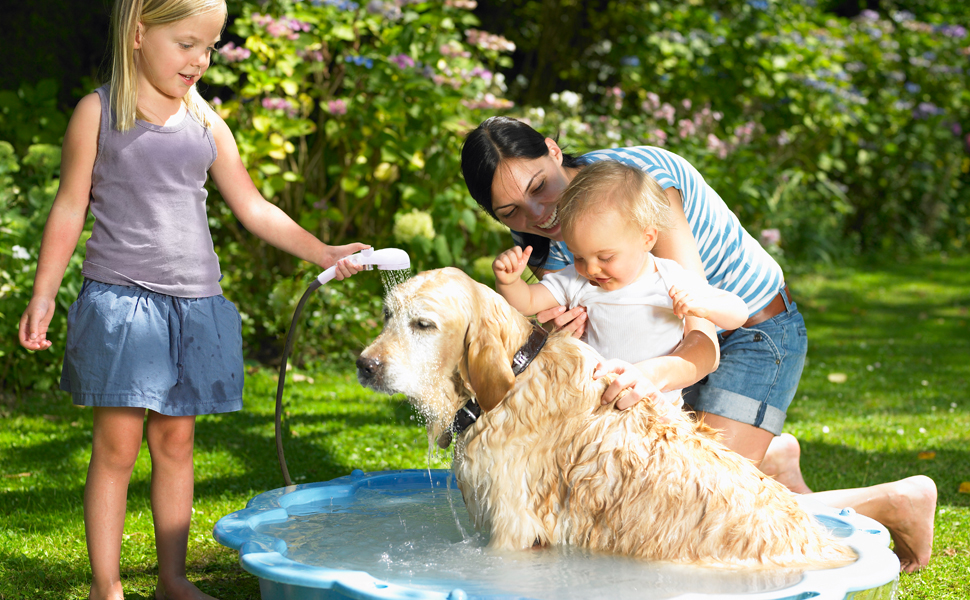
845	134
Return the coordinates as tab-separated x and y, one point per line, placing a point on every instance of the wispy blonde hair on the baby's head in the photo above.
609	184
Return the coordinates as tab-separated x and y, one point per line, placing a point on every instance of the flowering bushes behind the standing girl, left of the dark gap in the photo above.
349	117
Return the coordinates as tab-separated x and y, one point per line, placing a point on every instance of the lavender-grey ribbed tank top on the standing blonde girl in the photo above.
148	202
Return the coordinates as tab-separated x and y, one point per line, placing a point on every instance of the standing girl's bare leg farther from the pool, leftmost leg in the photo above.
117	436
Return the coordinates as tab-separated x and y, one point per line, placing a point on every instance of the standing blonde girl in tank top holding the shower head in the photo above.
150	330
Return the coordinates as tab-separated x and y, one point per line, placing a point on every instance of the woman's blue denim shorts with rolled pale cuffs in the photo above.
758	373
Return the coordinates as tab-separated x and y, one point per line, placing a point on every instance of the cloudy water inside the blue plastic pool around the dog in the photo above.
423	540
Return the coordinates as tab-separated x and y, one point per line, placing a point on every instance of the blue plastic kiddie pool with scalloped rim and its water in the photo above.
406	535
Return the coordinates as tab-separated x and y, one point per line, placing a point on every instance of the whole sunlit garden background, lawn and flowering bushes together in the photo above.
837	132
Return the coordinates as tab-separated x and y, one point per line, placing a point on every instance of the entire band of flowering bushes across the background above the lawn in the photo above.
832	136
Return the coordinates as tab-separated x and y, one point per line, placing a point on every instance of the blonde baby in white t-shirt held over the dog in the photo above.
611	215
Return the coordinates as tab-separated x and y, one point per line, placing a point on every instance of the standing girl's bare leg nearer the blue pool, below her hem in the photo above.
170	441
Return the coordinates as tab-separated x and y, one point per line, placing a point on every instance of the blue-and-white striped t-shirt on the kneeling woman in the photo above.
733	260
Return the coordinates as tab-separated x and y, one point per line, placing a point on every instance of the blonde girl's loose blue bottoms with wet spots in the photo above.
130	347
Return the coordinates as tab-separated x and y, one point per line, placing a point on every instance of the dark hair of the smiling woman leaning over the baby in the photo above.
495	140
